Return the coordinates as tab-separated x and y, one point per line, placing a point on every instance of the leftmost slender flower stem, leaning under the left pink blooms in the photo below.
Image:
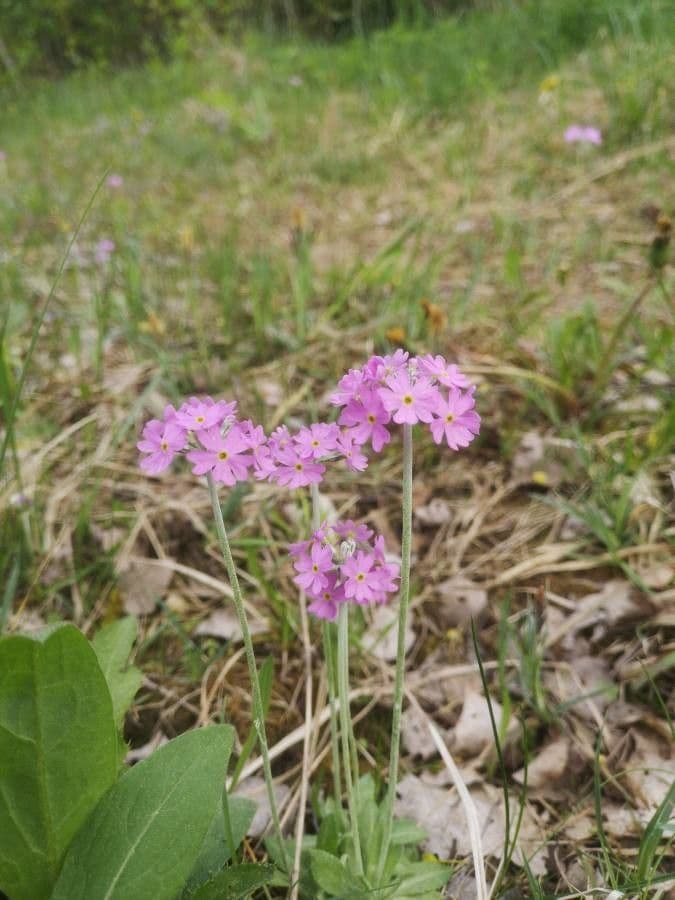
258	710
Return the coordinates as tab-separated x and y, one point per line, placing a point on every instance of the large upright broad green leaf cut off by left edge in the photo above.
58	753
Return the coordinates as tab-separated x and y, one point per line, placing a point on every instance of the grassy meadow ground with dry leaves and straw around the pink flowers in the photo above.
271	213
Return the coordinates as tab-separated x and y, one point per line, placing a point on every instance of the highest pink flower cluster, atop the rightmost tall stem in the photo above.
407	390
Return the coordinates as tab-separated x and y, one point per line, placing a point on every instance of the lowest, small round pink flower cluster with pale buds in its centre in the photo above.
342	564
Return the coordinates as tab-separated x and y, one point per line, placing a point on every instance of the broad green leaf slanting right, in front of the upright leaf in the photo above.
144	837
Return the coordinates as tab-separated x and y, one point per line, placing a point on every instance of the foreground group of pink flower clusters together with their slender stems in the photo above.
343	563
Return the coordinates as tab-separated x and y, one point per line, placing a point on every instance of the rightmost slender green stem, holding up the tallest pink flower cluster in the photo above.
404	602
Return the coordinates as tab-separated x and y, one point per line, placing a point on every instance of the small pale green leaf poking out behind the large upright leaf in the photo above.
113	644
